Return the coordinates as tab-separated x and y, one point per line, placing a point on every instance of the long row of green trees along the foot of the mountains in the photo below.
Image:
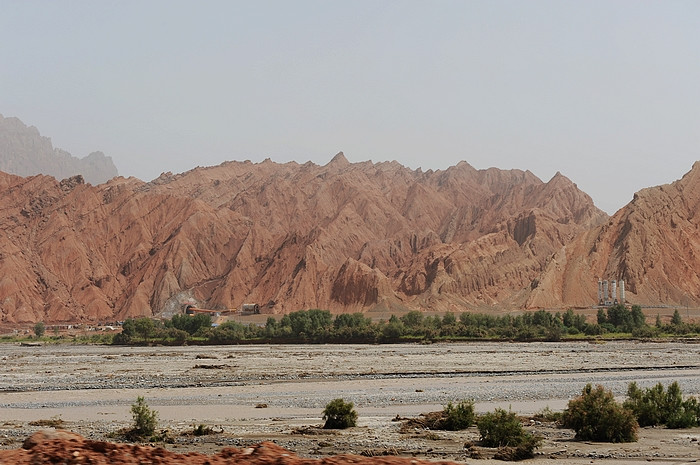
320	326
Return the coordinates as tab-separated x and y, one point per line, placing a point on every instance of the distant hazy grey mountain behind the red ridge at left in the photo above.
25	152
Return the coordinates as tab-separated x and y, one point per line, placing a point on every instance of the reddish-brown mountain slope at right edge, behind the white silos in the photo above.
653	244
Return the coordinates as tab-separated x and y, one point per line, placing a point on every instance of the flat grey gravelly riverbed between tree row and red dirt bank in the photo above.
248	394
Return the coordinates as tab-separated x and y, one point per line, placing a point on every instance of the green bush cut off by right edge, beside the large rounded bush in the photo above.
654	406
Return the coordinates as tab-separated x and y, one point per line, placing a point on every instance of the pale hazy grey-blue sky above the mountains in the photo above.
607	92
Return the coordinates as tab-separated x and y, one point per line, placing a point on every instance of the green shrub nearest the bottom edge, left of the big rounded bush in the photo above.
503	429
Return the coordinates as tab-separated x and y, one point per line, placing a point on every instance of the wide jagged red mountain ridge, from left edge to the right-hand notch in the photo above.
345	237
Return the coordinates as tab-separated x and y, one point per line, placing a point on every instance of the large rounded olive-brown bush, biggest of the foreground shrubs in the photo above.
595	416
